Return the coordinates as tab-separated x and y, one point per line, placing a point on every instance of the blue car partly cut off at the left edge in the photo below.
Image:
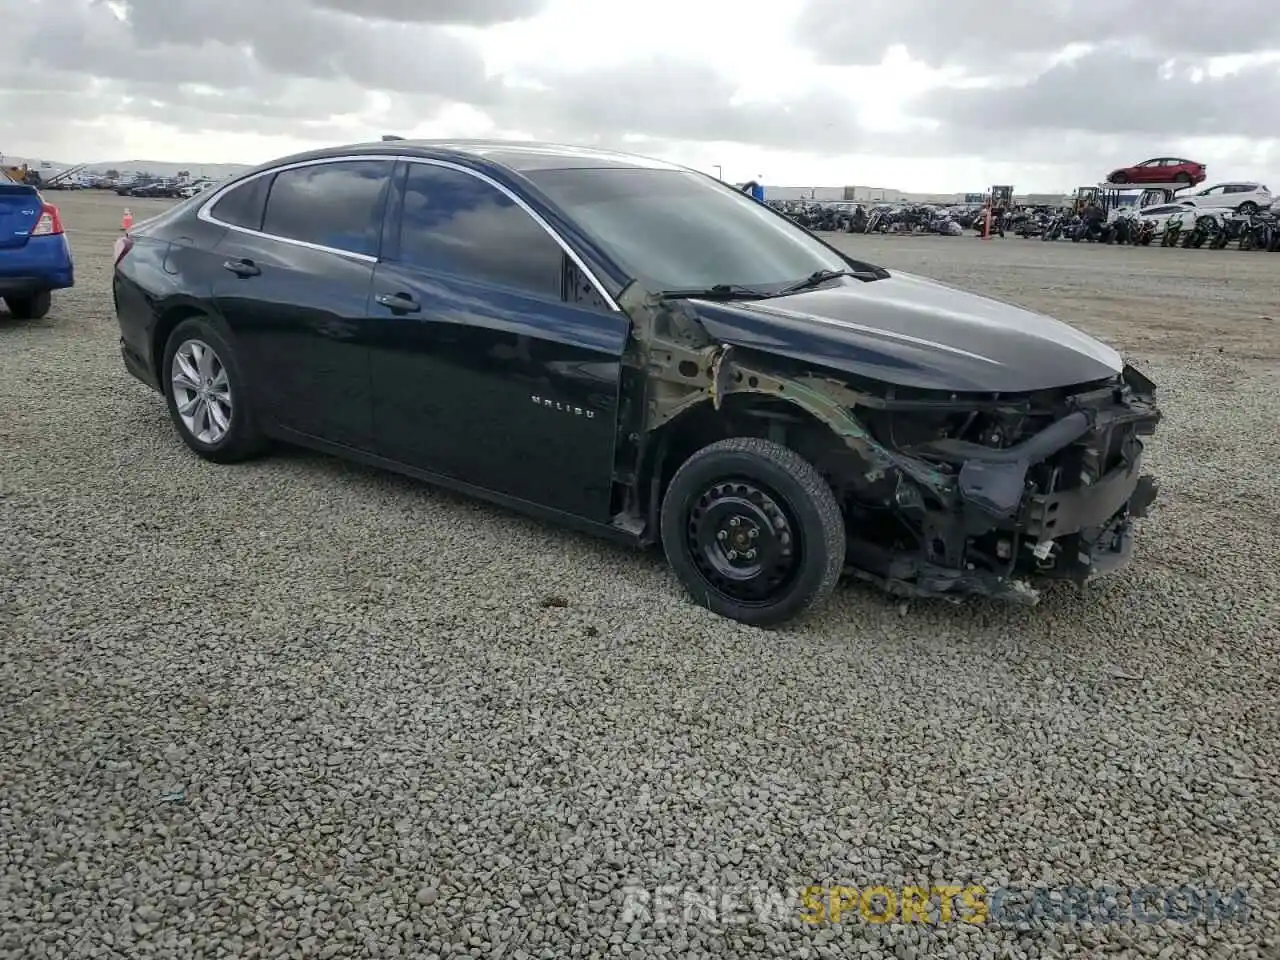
35	257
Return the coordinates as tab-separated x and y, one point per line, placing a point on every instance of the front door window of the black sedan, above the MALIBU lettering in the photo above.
456	223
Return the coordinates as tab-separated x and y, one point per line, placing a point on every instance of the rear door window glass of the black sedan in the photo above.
336	205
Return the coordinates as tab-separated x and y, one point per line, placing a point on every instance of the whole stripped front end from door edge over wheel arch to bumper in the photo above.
944	495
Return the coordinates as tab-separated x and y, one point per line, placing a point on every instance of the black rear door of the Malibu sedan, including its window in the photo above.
295	290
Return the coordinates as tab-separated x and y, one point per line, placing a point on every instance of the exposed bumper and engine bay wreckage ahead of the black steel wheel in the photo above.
990	496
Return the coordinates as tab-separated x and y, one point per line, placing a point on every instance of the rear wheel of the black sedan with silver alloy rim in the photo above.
208	396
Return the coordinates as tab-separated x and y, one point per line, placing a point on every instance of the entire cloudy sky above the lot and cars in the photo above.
908	94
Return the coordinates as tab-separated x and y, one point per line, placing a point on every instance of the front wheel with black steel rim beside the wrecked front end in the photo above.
753	532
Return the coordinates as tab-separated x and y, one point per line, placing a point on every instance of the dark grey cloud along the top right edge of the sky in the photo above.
982	35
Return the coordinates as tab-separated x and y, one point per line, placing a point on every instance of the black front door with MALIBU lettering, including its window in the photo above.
484	367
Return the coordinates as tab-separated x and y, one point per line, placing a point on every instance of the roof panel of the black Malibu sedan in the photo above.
520	157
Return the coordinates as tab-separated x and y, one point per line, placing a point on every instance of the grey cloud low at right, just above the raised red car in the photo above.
1159	100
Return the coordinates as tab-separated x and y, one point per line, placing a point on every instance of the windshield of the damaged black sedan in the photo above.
678	230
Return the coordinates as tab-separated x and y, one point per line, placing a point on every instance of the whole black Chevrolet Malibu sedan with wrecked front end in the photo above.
638	350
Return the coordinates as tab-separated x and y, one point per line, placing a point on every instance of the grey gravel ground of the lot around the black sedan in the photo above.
300	708
